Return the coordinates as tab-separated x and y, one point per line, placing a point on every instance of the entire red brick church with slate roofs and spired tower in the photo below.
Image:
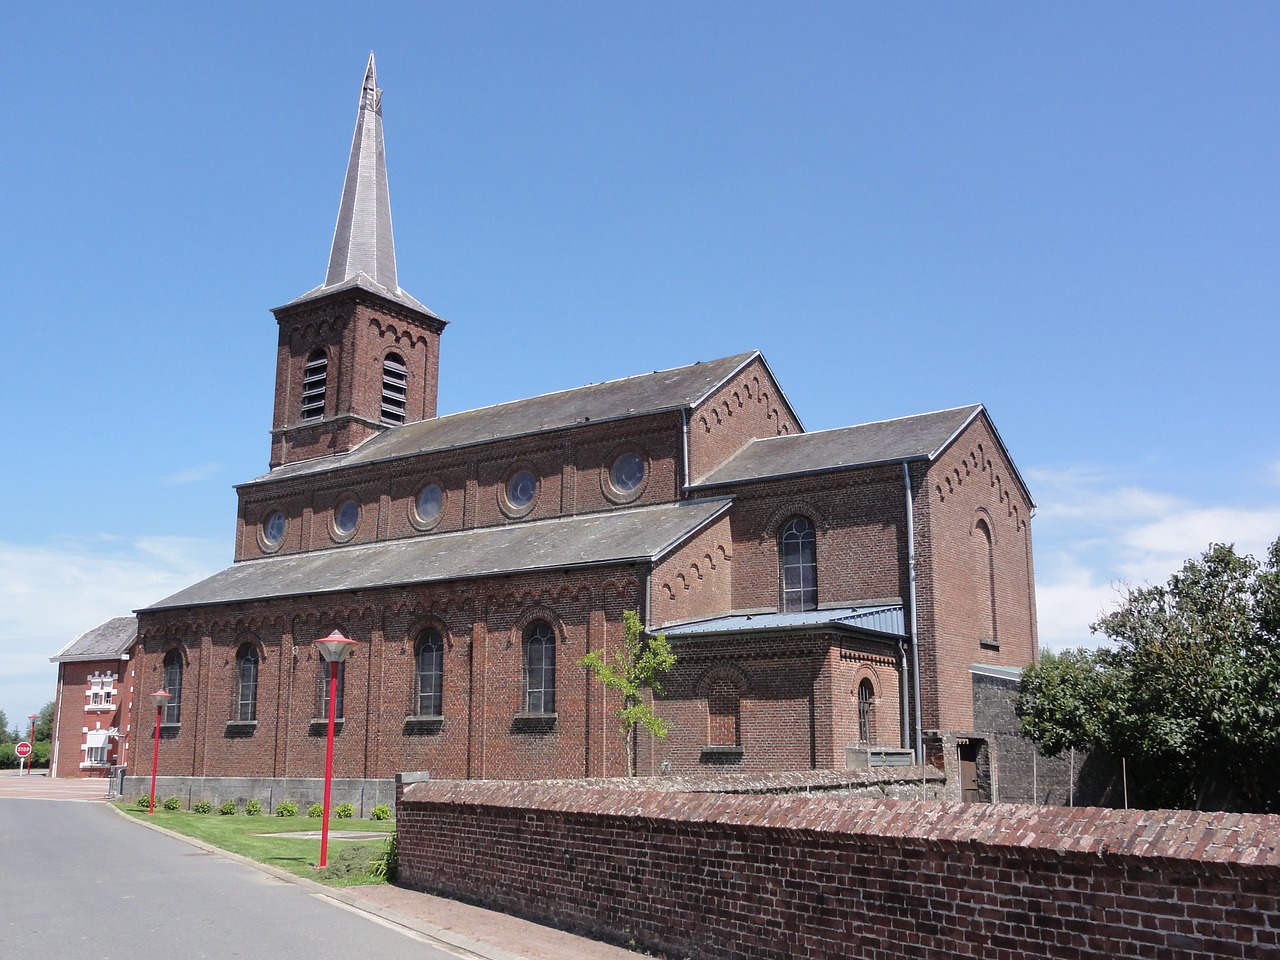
829	595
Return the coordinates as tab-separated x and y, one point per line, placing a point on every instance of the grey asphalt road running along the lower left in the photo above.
80	883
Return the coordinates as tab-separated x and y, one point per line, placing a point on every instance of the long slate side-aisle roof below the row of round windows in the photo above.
641	534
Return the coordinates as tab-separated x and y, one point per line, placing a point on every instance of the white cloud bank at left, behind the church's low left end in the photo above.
53	593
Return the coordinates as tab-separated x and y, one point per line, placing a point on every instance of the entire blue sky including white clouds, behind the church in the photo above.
1069	213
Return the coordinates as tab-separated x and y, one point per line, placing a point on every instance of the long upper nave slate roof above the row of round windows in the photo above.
633	396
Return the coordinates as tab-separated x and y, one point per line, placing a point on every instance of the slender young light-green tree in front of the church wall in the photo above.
637	669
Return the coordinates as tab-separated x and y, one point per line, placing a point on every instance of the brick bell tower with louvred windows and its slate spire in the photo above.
356	355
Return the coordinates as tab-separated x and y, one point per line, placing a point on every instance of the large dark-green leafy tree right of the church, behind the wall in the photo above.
1188	693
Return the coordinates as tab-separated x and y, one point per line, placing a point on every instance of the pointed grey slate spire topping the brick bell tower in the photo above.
364	249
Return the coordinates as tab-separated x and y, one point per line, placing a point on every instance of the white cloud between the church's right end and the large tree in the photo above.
1094	536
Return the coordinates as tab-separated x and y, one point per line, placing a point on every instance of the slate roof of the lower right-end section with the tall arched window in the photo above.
921	437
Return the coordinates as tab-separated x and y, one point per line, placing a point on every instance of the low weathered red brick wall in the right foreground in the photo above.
793	876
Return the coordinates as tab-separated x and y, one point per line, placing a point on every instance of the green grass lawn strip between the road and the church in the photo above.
267	840
